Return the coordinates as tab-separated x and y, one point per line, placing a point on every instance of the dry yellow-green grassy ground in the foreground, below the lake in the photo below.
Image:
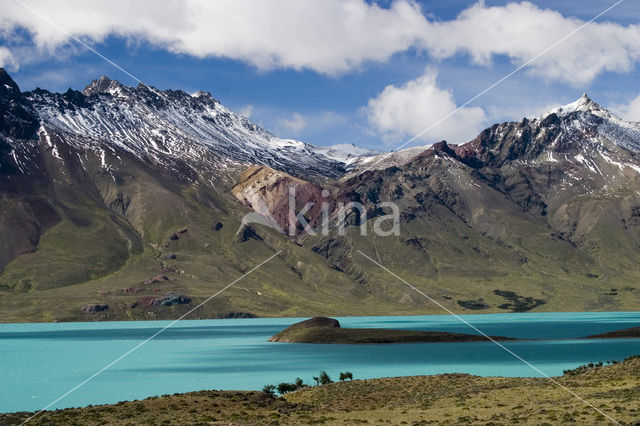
441	399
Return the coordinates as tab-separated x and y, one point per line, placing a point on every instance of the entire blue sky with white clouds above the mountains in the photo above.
377	74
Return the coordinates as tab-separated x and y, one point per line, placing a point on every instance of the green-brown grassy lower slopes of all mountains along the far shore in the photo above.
94	252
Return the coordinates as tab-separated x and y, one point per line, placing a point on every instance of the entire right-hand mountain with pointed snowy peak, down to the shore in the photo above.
538	214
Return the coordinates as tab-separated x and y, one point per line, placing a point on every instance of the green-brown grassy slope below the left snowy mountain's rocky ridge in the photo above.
93	253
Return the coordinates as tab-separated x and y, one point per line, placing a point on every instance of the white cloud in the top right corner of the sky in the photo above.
522	30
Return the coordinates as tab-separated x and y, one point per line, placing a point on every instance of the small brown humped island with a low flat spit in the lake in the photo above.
328	331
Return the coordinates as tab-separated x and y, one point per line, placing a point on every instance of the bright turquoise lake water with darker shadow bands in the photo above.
40	362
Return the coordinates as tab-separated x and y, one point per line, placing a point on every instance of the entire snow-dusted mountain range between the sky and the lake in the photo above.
128	203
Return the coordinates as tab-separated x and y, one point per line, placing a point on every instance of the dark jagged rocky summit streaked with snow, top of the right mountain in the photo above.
576	149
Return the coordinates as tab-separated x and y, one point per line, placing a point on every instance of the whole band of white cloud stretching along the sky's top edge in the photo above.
334	36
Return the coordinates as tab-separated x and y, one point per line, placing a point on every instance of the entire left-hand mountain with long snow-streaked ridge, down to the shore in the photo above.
115	203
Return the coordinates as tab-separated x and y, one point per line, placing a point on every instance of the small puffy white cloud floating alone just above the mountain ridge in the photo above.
408	110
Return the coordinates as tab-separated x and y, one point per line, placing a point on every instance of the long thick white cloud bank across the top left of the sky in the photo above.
329	36
